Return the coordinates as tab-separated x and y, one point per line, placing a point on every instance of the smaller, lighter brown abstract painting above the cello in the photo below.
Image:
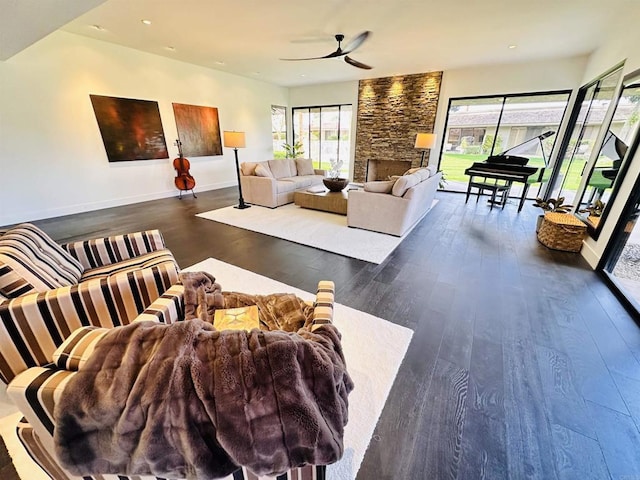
198	130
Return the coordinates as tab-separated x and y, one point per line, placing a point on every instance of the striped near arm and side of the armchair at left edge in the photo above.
33	326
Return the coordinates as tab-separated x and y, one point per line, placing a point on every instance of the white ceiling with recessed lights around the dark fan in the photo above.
408	36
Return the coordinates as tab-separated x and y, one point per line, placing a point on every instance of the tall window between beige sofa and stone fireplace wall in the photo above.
325	134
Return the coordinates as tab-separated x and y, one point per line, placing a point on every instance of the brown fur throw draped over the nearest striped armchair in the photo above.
188	401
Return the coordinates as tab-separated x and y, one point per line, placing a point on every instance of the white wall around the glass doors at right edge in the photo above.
622	45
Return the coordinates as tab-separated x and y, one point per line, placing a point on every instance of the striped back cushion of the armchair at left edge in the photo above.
30	261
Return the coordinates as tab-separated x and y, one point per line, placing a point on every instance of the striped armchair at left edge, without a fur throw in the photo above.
48	290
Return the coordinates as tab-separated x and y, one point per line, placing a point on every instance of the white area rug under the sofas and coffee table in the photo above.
326	231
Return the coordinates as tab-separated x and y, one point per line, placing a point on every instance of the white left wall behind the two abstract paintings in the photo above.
52	157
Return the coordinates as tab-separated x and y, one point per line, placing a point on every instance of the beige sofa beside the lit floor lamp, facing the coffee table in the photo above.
273	182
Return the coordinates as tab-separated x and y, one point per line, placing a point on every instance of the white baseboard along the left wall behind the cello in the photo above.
18	217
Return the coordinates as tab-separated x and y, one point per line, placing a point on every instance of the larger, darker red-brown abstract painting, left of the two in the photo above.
131	129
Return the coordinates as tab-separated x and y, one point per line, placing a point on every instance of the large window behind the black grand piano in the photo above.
481	126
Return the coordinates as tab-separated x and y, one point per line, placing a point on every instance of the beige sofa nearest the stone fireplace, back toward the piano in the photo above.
393	206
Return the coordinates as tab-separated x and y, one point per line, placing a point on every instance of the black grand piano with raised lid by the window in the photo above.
499	172
